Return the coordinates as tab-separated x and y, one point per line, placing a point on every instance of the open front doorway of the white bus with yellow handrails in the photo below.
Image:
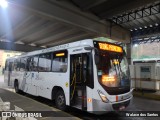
77	82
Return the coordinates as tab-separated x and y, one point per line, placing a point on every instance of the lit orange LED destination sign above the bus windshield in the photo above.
110	47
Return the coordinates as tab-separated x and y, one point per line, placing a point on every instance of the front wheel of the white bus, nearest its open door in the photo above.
60	100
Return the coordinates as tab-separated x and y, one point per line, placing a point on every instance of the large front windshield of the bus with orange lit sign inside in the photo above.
113	69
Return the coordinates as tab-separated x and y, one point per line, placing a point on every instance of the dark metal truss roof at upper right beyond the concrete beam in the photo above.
141	17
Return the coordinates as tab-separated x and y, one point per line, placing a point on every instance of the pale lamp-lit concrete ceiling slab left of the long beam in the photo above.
26	28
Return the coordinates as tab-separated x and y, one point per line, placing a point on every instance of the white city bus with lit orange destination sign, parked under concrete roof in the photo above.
88	75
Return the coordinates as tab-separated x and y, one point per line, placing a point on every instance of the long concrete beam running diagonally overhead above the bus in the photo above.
72	17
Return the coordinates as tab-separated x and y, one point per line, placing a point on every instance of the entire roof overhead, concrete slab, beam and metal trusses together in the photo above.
46	23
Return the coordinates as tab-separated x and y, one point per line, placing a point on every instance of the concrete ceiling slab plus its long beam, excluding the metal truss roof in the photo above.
46	23
